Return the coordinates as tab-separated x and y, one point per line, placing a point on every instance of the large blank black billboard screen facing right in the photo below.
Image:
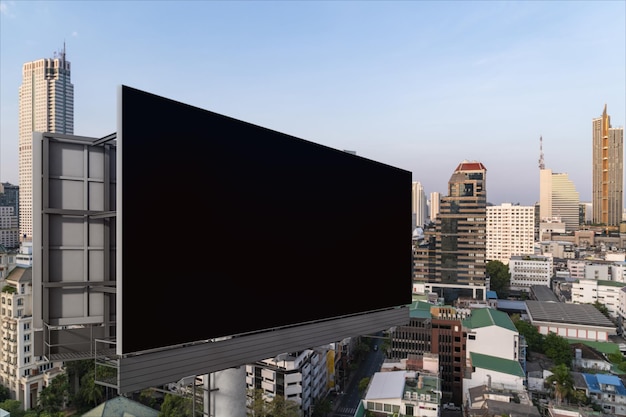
229	228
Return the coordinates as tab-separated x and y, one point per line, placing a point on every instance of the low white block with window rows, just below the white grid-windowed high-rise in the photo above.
529	270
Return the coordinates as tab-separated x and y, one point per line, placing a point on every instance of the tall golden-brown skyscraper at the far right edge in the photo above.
608	172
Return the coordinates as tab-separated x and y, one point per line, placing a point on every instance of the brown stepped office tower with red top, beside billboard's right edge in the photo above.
451	258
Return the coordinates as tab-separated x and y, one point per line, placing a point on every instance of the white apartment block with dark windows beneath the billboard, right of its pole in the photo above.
300	377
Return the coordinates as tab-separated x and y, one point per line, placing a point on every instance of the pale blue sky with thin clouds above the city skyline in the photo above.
420	85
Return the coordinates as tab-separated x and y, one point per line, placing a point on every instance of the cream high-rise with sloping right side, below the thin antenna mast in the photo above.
558	199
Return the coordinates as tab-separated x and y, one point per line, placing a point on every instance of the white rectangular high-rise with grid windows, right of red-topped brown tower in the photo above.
510	231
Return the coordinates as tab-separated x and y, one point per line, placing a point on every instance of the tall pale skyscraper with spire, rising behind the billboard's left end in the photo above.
46	104
